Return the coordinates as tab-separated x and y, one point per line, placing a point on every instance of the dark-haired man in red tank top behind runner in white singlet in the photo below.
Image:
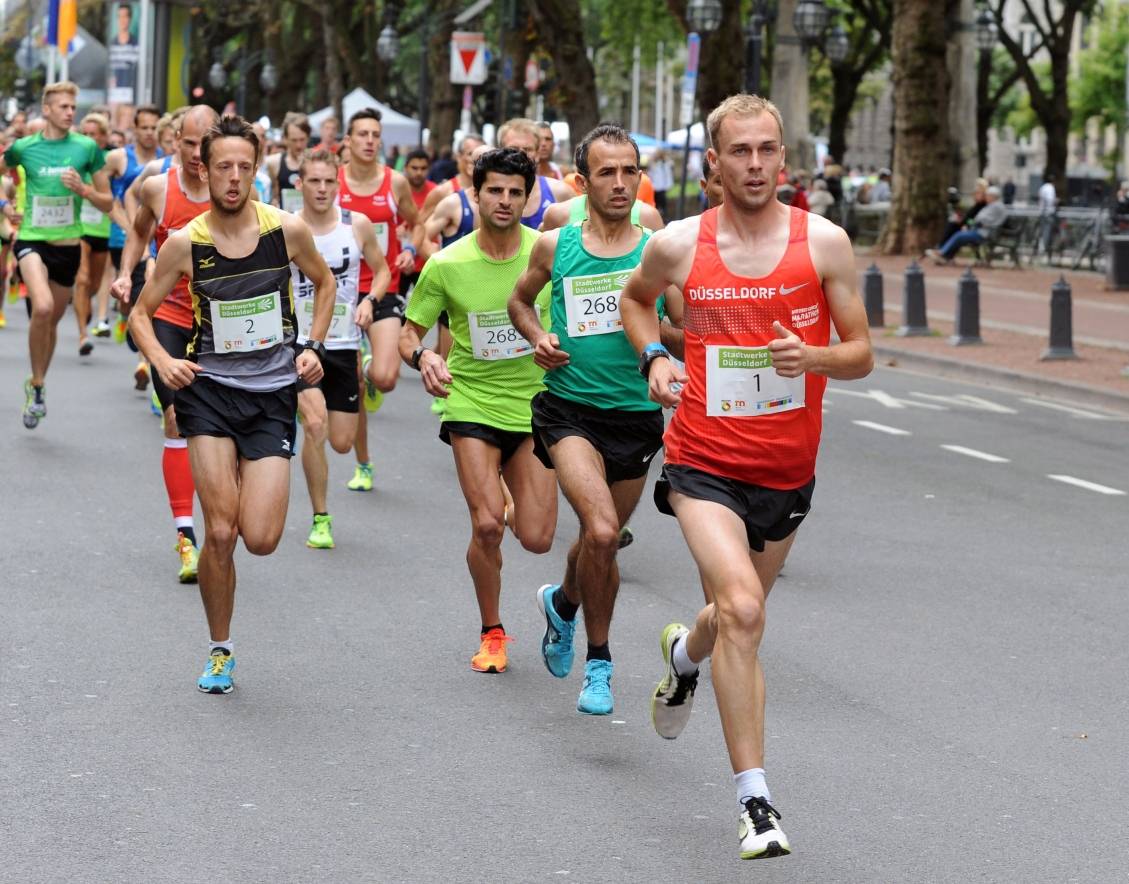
369	187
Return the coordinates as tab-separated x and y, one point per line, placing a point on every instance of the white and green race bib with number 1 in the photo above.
741	383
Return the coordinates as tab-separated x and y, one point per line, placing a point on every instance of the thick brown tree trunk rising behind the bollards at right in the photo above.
922	168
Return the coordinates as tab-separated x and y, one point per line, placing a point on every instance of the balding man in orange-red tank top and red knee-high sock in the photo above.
170	202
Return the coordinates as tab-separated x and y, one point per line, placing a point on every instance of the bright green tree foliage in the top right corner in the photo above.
1098	91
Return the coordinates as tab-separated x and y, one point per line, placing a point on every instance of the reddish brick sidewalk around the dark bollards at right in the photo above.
1016	328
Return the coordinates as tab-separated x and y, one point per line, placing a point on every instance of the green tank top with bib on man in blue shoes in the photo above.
603	370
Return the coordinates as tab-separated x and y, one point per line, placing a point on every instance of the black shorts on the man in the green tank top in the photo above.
626	440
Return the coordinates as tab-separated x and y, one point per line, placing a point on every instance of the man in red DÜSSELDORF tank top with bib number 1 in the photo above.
763	284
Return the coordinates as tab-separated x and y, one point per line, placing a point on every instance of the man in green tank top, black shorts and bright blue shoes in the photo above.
594	423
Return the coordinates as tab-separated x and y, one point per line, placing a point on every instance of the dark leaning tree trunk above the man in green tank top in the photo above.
568	48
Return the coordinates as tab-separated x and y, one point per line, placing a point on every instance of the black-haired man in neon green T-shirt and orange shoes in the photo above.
488	383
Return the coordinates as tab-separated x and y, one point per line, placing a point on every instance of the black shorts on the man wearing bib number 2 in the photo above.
261	424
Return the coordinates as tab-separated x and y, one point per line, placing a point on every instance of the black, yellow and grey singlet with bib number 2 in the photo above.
244	327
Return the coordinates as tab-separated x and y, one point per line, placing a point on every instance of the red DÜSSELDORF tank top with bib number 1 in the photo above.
738	418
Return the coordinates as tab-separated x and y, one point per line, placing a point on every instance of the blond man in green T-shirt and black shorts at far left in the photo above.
56	163
